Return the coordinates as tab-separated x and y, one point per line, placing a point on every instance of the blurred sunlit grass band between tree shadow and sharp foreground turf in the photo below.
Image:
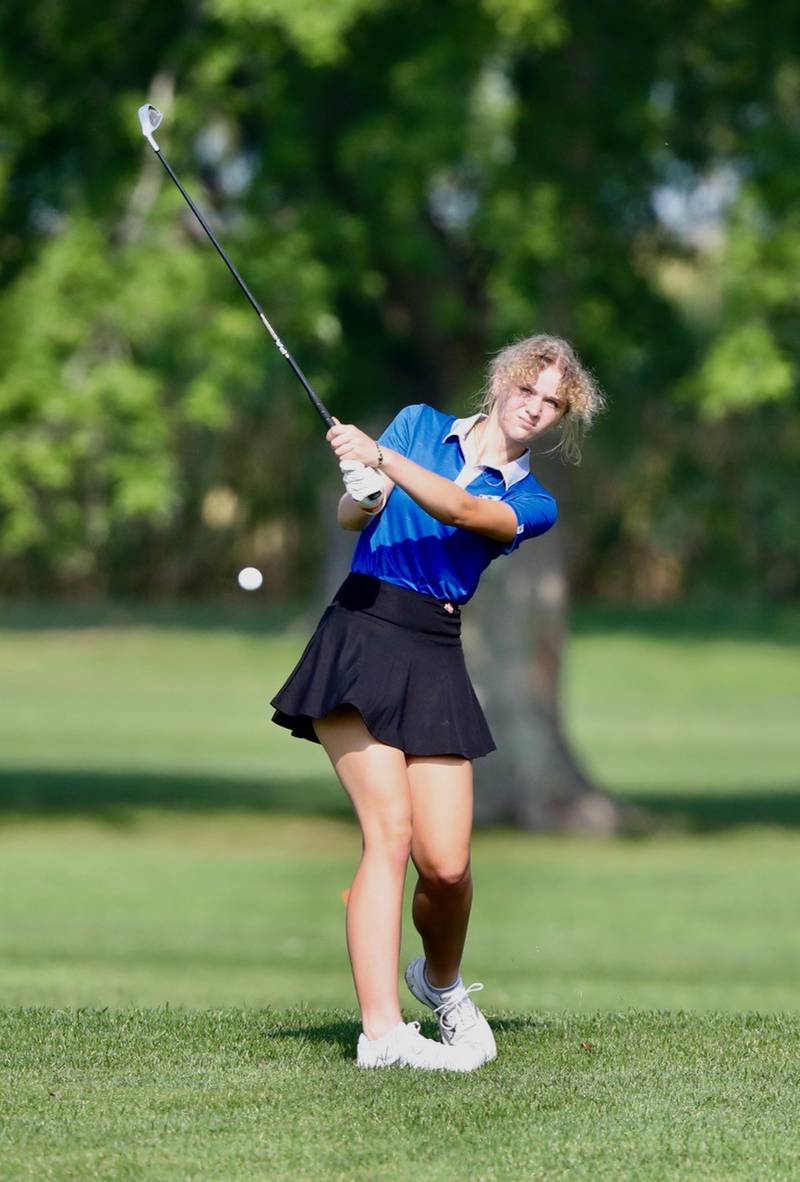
233	910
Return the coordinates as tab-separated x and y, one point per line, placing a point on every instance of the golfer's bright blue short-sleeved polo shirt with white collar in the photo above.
409	548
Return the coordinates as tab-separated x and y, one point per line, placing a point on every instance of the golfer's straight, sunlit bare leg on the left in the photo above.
375	778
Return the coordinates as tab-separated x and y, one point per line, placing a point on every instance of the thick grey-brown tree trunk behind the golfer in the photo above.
515	634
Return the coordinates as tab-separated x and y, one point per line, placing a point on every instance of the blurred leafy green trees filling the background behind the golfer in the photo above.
406	187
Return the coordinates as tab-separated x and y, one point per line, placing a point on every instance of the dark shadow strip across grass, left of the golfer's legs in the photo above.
114	795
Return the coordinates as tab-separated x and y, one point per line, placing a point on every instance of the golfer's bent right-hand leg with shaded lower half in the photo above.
443	822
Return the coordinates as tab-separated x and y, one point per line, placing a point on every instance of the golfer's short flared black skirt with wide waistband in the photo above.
396	657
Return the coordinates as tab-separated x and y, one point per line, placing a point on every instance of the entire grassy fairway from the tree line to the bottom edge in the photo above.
175	990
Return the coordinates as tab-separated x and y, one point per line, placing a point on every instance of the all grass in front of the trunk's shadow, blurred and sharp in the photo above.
160	965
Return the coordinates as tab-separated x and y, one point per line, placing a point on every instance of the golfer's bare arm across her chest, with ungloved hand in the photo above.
444	499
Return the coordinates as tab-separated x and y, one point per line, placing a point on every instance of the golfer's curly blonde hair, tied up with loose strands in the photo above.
524	361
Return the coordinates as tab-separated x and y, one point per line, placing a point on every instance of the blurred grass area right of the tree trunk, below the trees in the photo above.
667	715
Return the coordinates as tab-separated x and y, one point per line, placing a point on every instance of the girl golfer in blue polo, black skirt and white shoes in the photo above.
383	685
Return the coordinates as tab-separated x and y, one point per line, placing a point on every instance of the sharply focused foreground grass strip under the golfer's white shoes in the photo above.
249	1095
